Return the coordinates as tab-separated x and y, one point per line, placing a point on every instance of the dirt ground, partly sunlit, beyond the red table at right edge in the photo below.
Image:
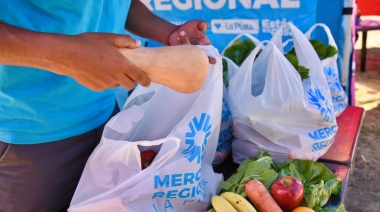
364	187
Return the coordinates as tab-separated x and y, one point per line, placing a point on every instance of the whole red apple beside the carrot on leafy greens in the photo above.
288	192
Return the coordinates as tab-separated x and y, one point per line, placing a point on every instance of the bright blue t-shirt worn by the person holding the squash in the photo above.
38	106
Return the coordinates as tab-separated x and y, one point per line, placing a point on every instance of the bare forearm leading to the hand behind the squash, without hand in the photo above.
142	22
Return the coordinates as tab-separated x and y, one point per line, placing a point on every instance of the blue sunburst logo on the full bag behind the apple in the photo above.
321	103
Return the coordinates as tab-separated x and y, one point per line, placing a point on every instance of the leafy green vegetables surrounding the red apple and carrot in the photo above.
319	182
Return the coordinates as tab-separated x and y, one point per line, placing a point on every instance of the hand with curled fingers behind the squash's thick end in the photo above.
191	32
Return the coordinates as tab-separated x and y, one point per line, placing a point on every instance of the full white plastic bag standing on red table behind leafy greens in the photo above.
275	112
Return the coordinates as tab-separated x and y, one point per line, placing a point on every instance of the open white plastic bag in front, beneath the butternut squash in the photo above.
182	128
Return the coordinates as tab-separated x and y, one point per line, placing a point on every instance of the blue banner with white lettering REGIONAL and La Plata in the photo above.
228	18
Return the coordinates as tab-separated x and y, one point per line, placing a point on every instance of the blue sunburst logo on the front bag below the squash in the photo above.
198	128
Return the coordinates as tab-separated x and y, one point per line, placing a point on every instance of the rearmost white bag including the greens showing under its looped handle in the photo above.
329	56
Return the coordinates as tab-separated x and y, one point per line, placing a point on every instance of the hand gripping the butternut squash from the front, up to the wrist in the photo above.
93	60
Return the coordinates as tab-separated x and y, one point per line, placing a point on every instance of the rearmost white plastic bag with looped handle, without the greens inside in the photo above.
330	69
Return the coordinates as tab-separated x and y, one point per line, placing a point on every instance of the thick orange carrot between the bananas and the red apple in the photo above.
260	197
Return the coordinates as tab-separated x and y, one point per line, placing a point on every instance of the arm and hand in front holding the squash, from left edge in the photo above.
92	59
